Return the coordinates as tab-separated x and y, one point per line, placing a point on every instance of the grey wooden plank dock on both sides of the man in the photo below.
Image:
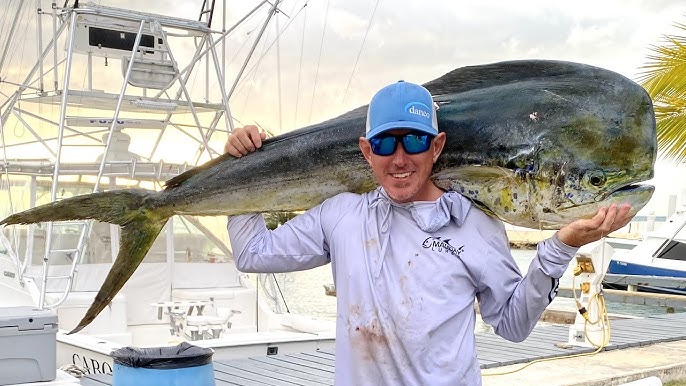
317	368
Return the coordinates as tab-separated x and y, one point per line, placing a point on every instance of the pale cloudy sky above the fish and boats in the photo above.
334	54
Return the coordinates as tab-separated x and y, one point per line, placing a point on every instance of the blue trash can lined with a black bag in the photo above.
181	365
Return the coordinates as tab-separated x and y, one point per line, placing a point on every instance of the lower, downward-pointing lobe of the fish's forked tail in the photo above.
137	238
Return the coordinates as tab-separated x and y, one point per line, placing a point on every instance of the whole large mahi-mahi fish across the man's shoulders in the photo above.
535	143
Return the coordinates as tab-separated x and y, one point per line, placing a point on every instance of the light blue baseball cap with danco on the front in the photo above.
401	105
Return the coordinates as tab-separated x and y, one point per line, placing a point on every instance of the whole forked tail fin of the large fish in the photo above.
133	210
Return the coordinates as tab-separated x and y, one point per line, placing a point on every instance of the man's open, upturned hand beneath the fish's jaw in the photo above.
606	221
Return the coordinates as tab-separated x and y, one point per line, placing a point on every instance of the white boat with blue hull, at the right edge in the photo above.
656	263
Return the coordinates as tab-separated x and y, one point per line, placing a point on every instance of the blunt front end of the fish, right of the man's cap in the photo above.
545	143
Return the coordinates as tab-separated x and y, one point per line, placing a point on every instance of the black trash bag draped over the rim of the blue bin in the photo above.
172	357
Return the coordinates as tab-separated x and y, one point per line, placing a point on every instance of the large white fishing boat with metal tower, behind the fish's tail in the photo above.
119	98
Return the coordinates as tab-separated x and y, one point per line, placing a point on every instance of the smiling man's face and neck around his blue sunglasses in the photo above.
405	177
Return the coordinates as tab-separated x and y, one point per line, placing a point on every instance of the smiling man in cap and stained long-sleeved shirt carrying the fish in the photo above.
409	259
